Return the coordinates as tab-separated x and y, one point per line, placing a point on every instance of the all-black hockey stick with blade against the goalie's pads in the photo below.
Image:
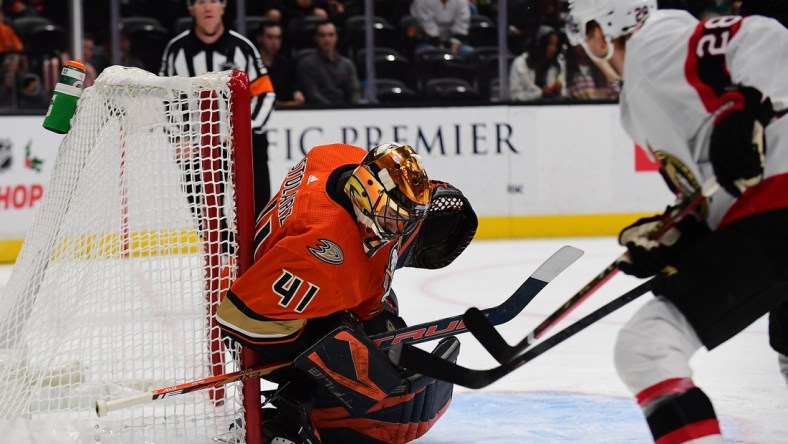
420	361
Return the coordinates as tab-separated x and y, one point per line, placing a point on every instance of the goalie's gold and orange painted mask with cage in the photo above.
390	193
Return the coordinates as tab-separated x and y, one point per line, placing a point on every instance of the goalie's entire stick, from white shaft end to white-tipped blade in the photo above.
424	332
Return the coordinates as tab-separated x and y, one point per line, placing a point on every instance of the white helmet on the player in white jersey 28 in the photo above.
614	17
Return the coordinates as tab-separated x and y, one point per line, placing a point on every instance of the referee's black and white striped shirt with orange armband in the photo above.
186	55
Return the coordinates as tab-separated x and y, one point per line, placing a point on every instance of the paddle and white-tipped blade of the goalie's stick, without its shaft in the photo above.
500	314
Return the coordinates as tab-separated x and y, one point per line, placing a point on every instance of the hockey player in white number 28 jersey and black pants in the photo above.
708	98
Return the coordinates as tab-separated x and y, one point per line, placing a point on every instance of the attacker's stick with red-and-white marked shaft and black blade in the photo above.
503	352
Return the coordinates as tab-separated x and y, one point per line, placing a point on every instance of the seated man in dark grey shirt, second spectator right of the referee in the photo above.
325	76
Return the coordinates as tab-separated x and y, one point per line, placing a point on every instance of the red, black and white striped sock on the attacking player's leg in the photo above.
679	412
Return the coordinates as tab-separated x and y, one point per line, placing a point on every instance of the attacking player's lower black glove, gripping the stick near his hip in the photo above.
647	256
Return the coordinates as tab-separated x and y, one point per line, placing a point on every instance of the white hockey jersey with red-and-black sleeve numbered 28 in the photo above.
675	68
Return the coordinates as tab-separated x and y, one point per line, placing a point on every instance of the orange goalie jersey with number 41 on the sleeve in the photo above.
309	257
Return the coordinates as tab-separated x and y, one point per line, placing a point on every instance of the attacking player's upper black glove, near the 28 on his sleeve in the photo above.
737	144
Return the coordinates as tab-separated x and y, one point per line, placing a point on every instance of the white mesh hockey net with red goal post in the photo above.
144	222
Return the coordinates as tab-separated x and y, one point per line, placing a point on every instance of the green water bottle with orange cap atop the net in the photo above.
64	99
